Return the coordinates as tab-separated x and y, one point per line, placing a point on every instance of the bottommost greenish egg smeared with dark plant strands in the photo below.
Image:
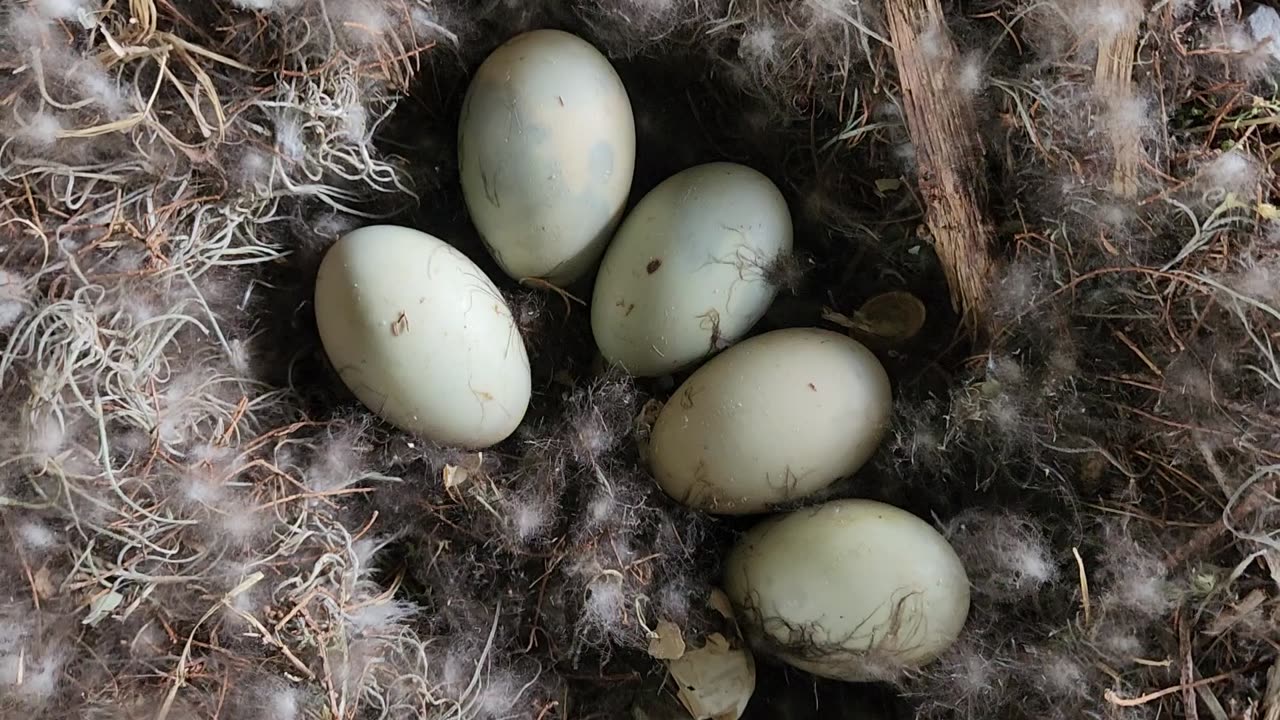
852	590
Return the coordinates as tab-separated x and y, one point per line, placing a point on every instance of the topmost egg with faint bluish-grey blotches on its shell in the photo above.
547	152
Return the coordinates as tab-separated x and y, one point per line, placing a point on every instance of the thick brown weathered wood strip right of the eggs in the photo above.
944	129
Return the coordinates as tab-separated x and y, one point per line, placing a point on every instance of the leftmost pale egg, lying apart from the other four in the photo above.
422	336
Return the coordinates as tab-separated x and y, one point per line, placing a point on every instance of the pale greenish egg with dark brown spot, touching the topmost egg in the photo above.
688	272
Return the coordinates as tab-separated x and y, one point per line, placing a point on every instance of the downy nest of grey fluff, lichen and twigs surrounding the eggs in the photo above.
205	525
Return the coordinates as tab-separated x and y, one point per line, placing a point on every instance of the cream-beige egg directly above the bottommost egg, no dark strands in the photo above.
772	420
